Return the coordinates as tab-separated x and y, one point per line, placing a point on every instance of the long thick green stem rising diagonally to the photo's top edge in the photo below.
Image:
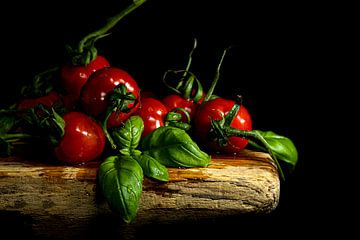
90	38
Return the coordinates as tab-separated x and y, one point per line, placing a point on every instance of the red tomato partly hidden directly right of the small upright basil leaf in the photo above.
153	113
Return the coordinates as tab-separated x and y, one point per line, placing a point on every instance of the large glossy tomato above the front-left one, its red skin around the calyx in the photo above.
102	82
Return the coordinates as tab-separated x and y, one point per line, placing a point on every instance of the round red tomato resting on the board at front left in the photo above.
83	141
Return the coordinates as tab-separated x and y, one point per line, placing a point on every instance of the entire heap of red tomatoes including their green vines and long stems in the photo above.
87	95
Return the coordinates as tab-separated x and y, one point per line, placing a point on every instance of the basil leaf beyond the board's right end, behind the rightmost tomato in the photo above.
282	147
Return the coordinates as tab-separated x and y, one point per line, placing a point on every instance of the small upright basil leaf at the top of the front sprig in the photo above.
128	136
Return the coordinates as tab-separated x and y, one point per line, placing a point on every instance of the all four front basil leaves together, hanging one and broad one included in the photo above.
121	175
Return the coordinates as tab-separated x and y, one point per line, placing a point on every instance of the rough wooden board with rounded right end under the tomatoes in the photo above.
230	185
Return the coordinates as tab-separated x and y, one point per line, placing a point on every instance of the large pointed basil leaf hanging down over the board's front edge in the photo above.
120	179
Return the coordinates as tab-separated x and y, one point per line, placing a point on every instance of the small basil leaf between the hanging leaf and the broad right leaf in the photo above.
152	168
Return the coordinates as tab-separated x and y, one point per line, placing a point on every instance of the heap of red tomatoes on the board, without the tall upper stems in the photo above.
98	96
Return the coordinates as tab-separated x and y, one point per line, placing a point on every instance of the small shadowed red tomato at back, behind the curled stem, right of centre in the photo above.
175	101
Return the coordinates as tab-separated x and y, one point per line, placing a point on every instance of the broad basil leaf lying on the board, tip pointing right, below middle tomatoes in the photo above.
173	147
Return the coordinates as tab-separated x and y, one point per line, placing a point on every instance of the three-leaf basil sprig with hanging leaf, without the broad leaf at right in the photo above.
121	176
